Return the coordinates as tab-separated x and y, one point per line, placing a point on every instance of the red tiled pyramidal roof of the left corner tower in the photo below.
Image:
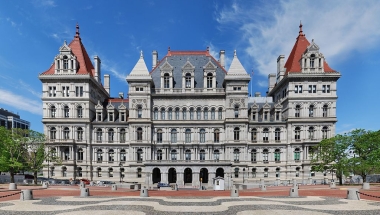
77	48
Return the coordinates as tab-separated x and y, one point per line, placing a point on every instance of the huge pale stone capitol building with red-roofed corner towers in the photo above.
187	119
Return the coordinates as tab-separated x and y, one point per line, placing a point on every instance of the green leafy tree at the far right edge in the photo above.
365	145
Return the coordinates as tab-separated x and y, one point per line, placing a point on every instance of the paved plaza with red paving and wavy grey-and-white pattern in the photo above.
66	201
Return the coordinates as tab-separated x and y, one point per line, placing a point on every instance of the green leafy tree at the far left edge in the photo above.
12	150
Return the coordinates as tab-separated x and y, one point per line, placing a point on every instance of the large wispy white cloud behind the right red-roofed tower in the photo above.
338	27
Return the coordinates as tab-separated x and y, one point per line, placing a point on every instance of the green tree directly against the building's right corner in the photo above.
333	154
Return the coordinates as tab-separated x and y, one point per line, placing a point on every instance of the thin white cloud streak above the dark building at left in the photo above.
20	102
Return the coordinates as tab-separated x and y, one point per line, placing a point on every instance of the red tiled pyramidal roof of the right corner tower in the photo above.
293	62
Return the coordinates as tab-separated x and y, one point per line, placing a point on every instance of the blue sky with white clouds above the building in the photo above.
347	32
